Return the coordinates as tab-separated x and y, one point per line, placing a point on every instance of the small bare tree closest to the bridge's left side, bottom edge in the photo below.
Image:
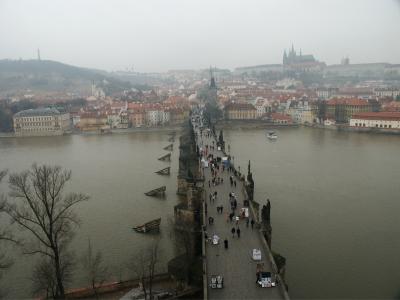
143	264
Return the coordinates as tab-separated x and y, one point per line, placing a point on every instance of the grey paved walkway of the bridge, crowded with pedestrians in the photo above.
235	264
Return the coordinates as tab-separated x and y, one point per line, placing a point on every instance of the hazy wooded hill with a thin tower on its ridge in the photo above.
50	76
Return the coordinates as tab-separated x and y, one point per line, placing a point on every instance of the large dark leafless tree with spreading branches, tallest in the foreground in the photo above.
39	206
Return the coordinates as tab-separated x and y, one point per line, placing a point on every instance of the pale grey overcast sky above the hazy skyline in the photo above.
158	35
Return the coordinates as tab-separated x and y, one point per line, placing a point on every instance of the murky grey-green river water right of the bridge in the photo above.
335	201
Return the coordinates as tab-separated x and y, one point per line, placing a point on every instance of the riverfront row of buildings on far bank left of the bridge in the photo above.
101	116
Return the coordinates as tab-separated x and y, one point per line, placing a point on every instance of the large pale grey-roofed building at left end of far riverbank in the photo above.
41	122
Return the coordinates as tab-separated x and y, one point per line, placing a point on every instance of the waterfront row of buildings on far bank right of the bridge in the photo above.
351	111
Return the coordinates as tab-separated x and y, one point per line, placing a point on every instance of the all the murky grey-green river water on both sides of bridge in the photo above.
335	202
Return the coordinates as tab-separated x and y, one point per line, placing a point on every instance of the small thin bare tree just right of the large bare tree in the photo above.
96	272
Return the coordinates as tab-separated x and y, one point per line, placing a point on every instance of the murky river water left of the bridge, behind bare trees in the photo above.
115	170
